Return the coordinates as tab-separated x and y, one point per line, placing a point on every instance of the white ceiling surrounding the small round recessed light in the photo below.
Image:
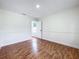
29	6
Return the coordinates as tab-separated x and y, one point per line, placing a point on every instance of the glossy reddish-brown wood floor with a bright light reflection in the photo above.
38	49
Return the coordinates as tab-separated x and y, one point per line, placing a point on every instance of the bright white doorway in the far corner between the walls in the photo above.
37	28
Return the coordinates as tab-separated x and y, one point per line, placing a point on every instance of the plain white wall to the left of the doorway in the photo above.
14	27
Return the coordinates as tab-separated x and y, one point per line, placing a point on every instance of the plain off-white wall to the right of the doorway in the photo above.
62	27
